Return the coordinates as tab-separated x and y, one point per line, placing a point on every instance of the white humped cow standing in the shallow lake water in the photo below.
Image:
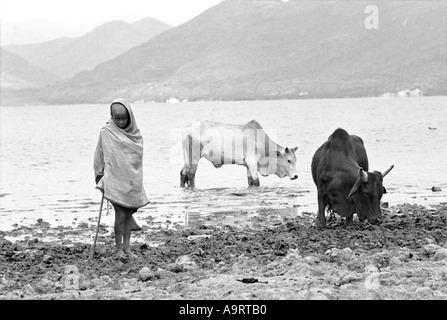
247	145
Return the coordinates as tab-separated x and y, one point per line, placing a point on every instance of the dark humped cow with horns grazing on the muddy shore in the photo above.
344	185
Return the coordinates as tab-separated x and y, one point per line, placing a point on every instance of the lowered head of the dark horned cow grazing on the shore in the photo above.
366	194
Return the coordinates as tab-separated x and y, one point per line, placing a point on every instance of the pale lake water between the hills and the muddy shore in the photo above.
46	157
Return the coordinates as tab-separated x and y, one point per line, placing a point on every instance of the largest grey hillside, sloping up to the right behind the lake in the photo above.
267	49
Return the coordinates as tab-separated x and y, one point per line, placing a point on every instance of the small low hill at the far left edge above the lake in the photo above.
16	73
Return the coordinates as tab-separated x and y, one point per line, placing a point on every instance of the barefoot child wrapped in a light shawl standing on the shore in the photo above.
118	167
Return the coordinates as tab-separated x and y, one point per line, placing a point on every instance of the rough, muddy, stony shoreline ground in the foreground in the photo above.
403	258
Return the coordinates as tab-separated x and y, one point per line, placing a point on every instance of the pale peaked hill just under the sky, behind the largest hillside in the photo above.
67	56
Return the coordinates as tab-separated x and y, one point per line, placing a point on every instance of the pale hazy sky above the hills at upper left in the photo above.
98	11
